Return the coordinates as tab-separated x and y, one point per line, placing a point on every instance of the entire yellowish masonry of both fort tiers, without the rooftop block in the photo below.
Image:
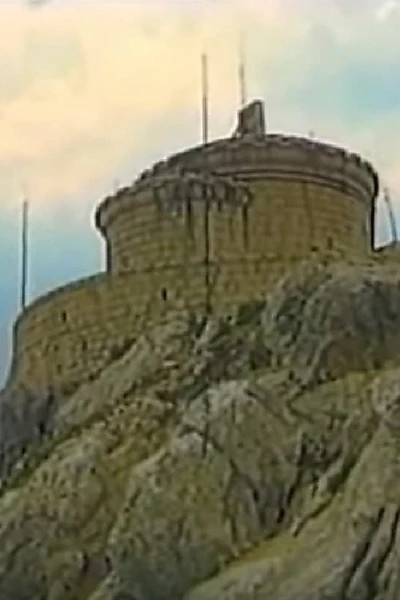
205	229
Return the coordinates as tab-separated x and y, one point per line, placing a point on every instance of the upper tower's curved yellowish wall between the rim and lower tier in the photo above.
283	220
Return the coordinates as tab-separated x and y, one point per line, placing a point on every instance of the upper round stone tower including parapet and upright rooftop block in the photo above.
251	203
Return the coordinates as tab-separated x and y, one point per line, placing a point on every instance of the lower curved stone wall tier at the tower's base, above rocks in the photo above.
69	335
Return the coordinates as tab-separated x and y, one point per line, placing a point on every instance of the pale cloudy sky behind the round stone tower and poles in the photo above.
92	92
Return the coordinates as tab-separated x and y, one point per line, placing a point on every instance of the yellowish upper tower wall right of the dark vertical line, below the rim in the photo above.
288	220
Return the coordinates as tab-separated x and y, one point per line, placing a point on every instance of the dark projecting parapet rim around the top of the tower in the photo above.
270	157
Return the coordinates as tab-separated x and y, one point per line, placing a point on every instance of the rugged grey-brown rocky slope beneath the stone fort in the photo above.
249	458
